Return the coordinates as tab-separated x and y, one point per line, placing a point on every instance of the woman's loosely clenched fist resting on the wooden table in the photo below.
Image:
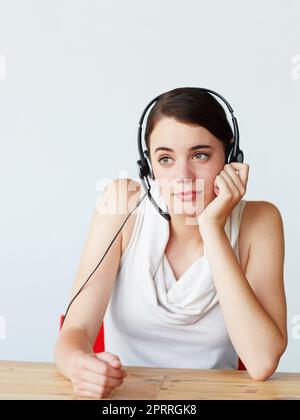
95	375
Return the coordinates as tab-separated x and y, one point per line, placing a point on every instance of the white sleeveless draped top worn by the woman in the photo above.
154	320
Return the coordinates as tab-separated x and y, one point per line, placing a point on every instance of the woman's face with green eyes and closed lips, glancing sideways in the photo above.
185	158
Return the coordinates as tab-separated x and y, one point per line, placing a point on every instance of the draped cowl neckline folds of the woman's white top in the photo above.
193	295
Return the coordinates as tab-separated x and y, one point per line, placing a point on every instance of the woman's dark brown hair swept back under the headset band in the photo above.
192	106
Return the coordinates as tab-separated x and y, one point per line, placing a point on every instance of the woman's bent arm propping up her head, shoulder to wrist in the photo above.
253	303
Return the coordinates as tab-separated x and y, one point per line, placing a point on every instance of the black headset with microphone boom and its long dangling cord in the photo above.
234	154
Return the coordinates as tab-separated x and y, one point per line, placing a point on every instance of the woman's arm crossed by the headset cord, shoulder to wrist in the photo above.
86	313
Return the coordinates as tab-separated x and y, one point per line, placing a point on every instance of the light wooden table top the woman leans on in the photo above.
22	380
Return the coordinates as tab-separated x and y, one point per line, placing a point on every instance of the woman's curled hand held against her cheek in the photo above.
230	187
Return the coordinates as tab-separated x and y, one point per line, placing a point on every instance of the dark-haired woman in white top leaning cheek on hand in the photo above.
201	290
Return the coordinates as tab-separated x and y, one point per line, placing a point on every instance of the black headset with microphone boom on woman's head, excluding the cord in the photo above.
145	171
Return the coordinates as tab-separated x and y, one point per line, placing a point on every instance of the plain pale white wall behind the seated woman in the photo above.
75	76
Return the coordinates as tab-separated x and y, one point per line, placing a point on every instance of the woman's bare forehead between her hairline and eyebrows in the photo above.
178	135
